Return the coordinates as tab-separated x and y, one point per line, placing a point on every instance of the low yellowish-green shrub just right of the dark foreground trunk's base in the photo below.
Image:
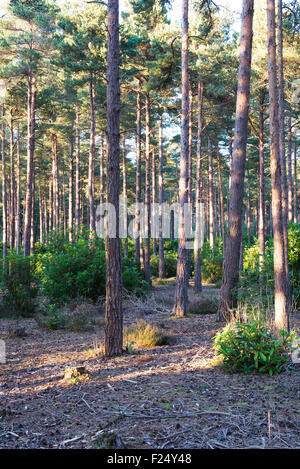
144	334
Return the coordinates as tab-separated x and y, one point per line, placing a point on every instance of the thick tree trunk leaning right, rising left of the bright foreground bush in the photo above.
232	250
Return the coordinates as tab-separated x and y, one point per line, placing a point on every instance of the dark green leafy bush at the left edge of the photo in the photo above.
17	285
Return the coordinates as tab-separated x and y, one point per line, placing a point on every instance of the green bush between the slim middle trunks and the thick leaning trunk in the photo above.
211	262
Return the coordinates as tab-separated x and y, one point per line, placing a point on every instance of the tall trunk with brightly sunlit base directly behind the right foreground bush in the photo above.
280	278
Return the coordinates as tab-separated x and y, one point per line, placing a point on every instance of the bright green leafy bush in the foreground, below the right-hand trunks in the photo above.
253	347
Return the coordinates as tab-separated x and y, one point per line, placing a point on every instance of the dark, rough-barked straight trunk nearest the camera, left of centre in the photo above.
113	313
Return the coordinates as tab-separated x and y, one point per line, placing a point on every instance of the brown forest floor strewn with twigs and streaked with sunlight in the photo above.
174	396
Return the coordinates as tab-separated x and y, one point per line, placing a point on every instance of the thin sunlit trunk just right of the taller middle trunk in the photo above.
199	221
